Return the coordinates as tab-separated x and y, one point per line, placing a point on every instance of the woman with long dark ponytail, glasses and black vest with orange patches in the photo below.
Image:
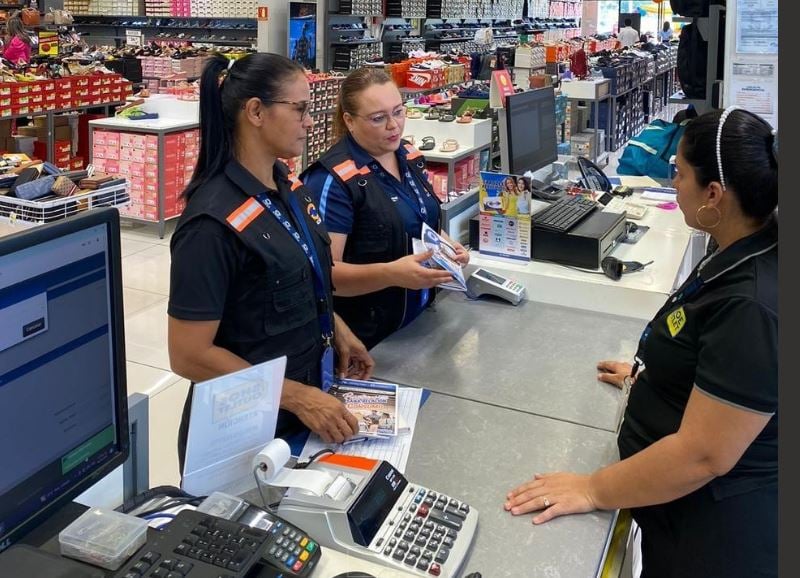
250	271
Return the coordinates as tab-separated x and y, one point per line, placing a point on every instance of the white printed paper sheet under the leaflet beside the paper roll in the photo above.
394	449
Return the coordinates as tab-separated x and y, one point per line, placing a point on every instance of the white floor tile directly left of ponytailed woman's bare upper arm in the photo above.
146	336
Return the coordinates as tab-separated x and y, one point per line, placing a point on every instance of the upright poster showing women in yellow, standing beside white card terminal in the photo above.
505	221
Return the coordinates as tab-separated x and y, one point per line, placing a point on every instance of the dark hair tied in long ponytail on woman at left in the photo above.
225	87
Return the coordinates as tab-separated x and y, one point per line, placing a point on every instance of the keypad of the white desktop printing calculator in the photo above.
423	531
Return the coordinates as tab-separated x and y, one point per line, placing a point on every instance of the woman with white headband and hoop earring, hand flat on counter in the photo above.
699	443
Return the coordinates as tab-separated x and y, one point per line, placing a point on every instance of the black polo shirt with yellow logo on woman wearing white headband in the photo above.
723	341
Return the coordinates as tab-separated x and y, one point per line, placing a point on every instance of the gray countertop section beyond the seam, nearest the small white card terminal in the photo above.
536	357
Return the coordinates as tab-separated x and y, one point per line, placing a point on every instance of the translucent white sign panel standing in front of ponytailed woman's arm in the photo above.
232	418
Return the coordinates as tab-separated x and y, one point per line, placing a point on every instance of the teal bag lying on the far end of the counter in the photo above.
648	153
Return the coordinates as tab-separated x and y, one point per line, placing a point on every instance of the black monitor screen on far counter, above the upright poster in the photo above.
530	130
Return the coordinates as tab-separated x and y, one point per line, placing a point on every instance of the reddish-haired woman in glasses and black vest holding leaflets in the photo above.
373	195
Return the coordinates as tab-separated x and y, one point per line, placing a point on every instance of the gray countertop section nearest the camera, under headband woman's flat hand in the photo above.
477	452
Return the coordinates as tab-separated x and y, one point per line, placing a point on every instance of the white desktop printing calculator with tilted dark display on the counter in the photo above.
373	512
